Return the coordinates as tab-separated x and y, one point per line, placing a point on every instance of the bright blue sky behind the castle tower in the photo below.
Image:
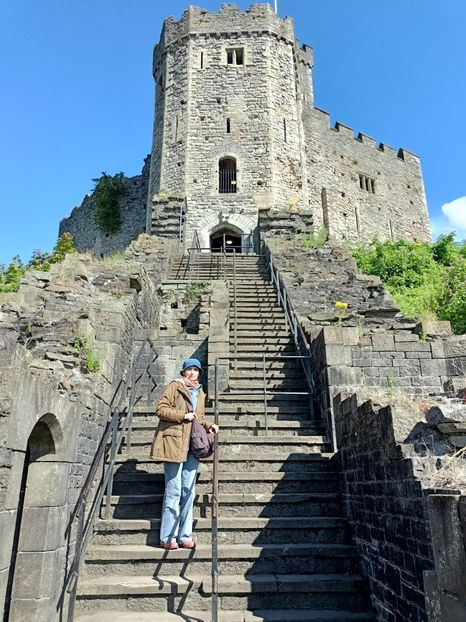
77	95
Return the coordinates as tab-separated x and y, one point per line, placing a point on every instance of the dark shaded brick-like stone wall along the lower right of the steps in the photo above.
385	500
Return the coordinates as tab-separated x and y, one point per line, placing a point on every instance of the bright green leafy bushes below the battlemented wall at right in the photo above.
426	280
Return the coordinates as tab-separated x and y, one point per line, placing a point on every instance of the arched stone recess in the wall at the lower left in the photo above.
37	552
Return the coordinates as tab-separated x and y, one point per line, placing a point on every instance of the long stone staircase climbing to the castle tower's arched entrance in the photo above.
284	548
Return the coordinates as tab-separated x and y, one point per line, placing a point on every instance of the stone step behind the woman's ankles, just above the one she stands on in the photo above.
253	530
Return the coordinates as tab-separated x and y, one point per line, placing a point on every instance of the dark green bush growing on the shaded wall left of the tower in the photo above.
106	197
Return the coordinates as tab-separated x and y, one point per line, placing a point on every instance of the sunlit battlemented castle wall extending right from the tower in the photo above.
396	208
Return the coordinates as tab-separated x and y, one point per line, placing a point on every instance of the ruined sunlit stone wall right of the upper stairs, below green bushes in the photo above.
369	343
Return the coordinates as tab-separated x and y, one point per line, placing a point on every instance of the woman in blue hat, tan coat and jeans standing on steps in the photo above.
182	401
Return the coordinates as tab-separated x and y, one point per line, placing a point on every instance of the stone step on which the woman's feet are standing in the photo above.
233	559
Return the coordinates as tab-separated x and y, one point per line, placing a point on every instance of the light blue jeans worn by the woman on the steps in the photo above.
177	509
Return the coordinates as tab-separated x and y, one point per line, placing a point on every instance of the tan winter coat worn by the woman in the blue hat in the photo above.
171	440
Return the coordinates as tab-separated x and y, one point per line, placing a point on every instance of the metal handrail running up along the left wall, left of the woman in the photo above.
118	422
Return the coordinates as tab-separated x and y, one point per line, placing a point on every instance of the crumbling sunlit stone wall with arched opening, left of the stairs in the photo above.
54	408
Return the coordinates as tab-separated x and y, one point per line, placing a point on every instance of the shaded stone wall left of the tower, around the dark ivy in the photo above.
133	208
